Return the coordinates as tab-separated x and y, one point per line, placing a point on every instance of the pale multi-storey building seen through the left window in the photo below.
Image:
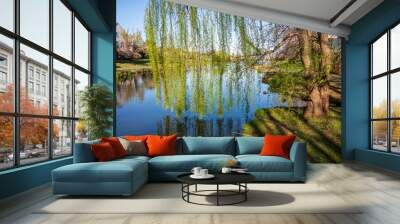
34	78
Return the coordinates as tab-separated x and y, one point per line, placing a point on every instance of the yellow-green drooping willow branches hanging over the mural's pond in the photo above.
190	49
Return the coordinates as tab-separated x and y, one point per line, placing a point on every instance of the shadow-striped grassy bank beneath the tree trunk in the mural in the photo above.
322	135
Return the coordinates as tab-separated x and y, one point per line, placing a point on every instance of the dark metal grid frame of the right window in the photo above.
388	74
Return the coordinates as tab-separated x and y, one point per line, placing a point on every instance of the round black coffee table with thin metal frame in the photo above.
238	179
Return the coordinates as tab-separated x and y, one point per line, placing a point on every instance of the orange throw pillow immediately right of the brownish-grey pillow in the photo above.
161	145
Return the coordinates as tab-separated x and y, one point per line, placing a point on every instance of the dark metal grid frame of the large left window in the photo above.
16	114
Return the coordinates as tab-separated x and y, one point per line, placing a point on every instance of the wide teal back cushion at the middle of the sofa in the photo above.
208	145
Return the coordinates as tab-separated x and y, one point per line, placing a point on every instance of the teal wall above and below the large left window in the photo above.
99	15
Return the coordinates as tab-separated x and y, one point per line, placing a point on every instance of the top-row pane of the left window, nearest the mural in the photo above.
81	45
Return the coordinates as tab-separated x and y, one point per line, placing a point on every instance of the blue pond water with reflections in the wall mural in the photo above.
213	100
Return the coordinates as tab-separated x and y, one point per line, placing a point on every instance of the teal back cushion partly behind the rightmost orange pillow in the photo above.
249	145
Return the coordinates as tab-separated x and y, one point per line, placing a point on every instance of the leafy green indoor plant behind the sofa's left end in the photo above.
97	104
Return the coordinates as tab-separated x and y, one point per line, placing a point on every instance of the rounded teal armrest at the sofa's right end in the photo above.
298	155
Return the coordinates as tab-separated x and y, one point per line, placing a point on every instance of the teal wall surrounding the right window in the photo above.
356	86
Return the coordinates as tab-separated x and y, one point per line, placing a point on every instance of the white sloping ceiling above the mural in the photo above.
315	15
